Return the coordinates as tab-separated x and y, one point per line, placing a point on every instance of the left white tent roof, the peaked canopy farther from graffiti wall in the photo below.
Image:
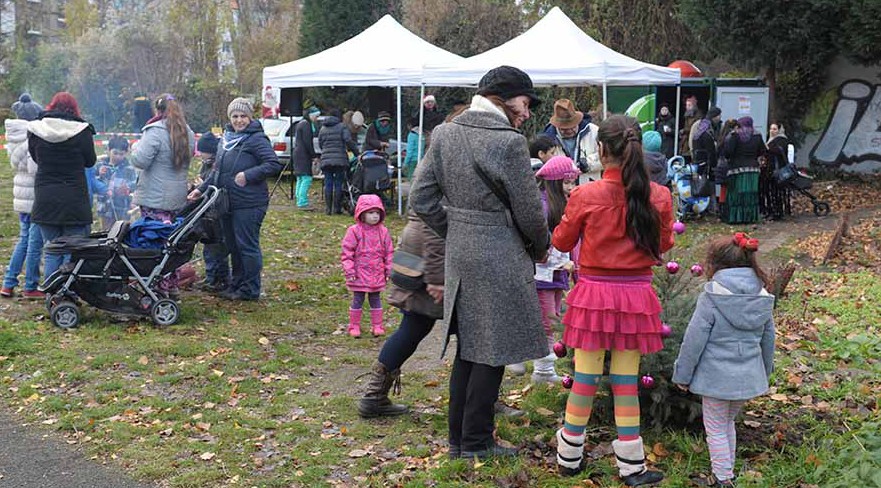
355	62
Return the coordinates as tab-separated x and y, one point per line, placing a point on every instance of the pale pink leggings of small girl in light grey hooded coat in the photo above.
719	418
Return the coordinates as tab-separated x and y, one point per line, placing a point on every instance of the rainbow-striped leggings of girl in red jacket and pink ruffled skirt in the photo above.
623	373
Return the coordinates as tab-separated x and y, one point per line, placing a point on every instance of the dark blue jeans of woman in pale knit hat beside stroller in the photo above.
241	231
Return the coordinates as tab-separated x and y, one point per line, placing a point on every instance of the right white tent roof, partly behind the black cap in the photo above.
554	51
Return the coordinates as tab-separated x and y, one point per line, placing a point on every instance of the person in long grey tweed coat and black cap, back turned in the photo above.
476	189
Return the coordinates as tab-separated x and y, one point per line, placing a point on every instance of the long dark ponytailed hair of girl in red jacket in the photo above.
622	138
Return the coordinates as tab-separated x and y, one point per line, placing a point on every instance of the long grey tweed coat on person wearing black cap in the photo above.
490	300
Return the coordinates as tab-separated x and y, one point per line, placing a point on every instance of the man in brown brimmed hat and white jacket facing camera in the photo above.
577	136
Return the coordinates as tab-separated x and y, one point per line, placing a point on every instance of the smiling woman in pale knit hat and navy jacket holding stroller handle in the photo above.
245	160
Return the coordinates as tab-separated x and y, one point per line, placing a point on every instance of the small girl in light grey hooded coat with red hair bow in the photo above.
727	354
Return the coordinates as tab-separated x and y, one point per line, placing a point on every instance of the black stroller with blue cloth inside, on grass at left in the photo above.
111	276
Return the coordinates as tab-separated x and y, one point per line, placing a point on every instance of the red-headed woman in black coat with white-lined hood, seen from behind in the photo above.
62	144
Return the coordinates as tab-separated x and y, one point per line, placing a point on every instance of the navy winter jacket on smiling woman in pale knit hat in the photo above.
253	155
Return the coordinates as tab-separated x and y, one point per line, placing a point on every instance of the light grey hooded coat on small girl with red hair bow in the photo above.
728	349
